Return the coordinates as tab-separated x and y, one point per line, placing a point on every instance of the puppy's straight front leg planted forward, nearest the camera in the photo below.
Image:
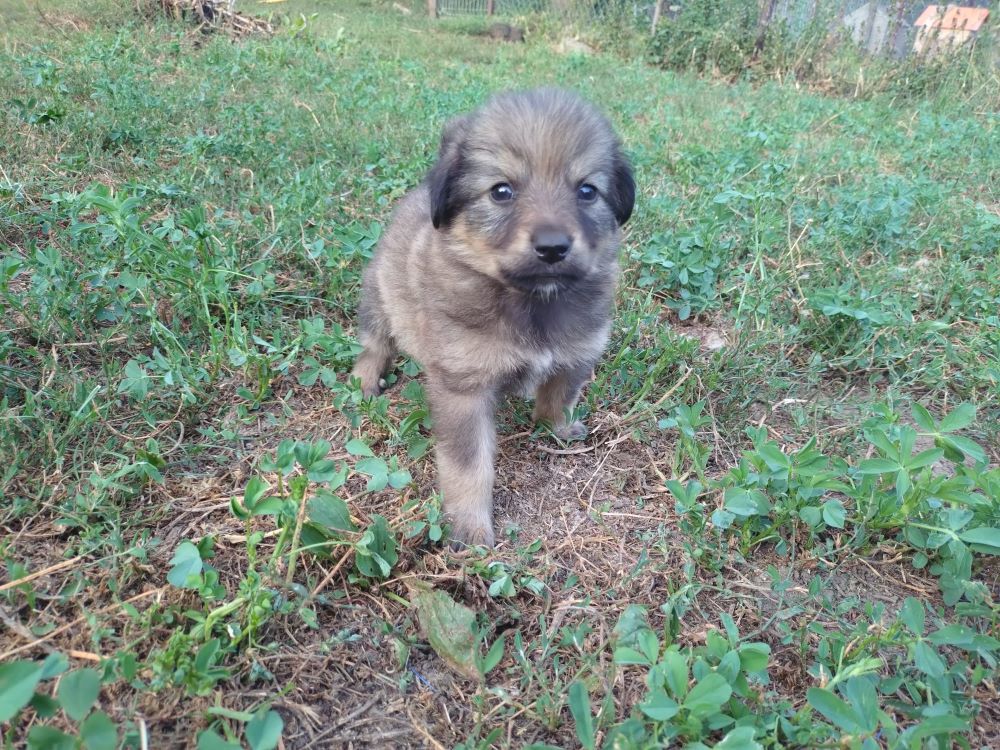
466	441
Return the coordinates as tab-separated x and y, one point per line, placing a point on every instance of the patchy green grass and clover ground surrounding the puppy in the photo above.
782	531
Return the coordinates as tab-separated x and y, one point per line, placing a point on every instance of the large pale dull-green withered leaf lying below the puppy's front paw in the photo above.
449	627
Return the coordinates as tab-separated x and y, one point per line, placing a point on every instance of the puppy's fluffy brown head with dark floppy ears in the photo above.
531	191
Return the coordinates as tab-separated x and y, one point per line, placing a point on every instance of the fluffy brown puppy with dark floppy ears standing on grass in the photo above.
497	275
